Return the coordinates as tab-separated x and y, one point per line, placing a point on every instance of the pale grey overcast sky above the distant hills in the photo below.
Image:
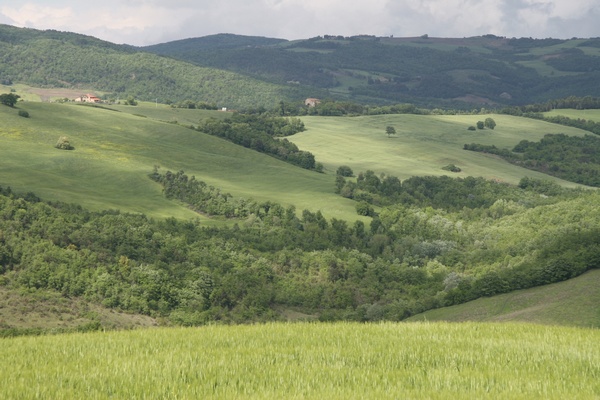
144	22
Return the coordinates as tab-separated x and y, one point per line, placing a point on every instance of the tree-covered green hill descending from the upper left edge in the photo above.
67	60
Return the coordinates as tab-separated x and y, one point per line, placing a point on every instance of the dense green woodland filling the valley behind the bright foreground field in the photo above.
409	259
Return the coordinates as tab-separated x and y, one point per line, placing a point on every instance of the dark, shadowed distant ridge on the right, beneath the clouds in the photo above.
456	72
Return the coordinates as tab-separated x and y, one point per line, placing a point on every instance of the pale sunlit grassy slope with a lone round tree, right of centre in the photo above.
422	145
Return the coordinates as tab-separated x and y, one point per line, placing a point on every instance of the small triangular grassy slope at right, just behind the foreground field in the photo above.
575	302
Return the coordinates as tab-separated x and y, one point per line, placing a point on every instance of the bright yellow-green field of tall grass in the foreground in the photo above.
308	361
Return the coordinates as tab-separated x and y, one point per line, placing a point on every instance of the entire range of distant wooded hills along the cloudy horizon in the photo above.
245	72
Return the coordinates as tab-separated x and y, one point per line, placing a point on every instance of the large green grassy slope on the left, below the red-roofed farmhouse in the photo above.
115	151
